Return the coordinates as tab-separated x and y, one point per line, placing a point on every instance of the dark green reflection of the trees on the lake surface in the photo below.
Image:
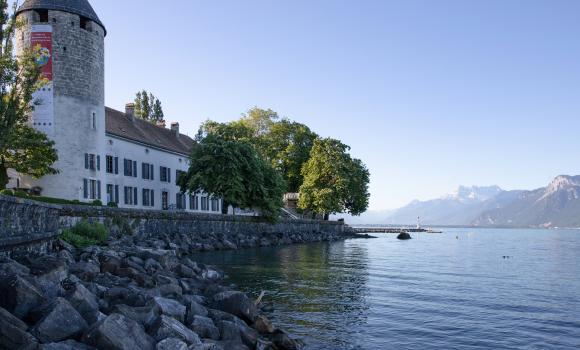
318	286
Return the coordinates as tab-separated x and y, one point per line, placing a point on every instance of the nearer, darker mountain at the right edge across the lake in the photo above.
557	205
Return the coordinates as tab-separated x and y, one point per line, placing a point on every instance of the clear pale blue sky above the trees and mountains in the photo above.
429	94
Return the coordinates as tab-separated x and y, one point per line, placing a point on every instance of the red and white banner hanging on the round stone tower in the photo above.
43	99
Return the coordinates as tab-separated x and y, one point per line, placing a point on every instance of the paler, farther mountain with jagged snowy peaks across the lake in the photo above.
457	208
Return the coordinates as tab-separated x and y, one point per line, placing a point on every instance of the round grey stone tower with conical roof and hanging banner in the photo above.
67	37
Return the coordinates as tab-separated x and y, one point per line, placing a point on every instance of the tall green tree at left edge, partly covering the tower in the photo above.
21	148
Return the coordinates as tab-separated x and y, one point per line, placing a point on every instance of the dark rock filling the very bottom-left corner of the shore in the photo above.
13	333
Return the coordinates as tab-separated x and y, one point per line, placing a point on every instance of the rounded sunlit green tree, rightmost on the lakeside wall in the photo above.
334	182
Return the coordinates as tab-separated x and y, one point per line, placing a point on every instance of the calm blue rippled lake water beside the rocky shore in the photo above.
438	291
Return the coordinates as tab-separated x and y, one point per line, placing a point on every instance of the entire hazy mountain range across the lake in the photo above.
556	205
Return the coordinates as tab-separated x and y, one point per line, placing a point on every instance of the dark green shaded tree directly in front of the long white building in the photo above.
234	171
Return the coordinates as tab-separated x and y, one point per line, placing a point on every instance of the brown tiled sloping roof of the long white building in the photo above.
139	130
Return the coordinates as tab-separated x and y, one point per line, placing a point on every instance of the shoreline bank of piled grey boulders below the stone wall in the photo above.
133	293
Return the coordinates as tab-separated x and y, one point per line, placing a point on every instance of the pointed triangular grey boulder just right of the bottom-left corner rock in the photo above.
60	321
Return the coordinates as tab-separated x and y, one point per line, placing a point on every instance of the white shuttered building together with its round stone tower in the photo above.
103	153
